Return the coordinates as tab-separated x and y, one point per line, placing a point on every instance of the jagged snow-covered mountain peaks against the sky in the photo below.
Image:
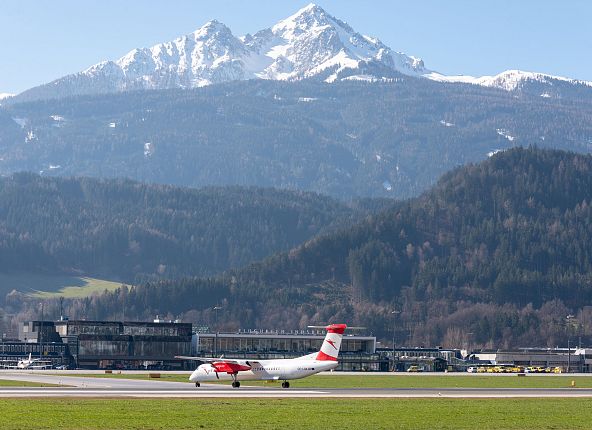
309	44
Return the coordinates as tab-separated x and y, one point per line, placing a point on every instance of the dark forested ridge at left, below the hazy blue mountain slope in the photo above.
124	230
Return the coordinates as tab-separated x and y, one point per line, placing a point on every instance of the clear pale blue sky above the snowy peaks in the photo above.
41	40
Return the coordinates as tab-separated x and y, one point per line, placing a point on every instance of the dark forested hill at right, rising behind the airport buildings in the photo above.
495	254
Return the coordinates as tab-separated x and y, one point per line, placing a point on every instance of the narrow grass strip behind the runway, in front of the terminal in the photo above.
365	380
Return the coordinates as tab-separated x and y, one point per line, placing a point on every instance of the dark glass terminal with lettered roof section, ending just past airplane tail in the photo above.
153	345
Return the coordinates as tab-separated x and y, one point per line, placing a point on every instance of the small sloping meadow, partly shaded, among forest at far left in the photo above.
49	286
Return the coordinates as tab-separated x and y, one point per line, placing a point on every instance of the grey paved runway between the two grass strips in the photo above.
89	387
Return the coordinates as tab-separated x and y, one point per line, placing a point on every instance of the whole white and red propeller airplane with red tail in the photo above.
285	369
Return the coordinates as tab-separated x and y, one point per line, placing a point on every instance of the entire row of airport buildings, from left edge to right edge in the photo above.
154	345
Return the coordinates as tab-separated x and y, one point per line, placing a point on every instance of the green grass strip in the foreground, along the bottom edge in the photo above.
296	414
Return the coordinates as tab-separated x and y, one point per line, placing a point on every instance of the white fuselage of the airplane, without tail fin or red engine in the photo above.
270	370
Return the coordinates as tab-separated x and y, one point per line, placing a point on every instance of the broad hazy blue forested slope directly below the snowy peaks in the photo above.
385	139
